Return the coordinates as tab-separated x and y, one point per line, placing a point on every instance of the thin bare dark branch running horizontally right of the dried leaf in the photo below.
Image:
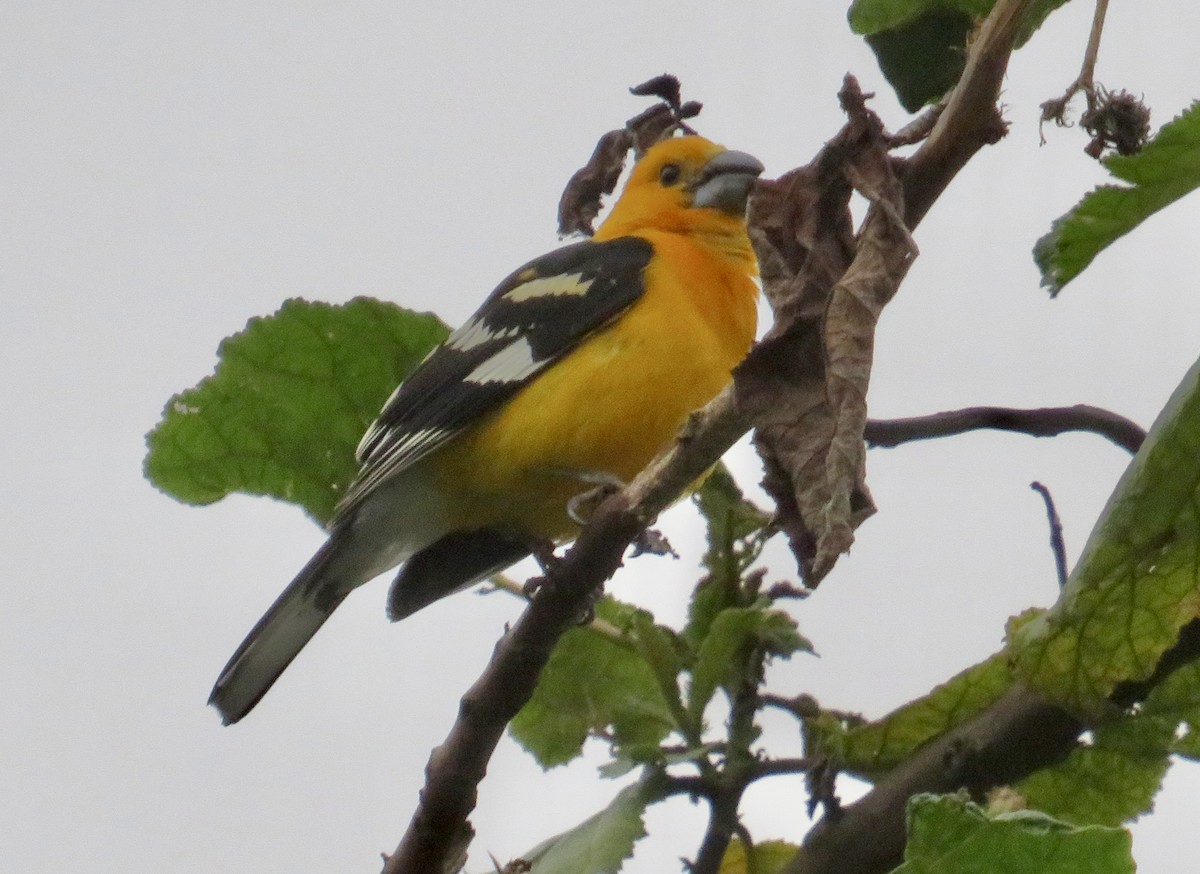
1046	422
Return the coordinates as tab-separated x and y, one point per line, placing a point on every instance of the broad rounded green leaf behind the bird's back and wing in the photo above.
291	398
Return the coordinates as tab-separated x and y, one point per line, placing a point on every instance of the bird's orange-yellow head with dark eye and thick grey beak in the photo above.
686	185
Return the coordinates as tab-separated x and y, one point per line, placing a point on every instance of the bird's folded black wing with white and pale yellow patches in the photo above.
533	319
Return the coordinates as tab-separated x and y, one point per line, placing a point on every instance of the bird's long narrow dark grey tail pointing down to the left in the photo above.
281	634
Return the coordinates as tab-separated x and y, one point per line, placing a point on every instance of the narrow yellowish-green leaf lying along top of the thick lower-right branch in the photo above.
872	750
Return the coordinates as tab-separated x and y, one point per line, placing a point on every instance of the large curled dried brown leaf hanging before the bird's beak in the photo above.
805	386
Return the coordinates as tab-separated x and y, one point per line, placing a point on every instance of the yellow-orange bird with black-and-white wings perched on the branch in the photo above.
578	369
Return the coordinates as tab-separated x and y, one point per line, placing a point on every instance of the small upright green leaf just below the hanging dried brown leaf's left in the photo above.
737	532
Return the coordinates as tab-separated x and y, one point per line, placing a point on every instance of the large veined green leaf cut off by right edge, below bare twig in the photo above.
1138	582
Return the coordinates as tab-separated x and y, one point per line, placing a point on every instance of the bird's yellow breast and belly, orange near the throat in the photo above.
611	405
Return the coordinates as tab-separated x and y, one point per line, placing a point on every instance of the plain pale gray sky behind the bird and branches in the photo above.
170	170
